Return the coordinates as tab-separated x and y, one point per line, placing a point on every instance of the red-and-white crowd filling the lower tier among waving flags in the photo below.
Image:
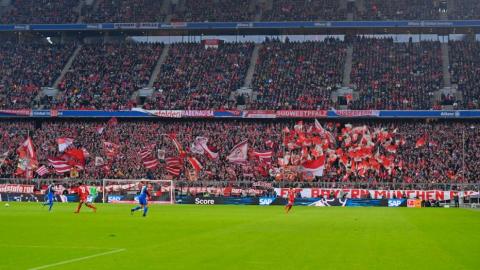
423	152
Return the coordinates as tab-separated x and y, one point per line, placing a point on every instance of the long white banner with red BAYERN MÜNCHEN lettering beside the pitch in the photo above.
439	195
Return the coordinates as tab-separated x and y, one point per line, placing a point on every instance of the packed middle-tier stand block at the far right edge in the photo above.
465	70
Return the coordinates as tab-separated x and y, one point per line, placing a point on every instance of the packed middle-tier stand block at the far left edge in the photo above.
25	68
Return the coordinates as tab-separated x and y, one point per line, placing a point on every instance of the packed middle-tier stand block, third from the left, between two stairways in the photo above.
196	77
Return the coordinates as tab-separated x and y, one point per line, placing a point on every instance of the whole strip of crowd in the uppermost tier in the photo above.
70	11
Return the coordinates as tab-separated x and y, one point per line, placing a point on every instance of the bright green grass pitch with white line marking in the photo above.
238	237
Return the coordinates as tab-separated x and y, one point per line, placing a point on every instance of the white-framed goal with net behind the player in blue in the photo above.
127	191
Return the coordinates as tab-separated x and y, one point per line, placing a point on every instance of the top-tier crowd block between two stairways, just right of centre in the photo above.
304	10
